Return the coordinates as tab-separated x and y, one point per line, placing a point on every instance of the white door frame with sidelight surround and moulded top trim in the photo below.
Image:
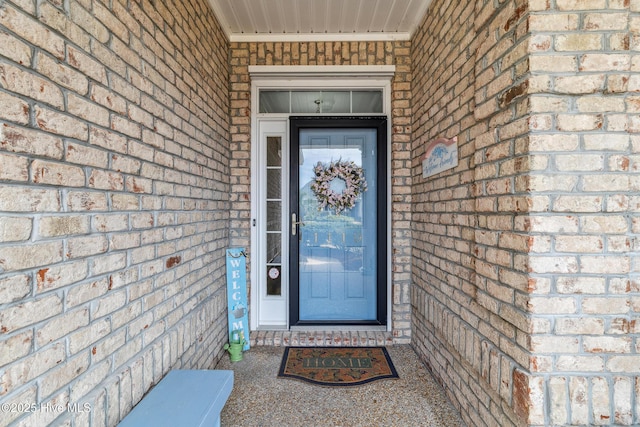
263	125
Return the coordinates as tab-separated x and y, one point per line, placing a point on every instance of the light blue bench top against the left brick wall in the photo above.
183	398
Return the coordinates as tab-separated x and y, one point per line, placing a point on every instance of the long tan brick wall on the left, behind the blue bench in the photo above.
114	210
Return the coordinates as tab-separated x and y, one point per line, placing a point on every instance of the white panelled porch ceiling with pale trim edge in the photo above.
317	20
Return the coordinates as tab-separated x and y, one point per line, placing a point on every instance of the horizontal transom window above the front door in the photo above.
363	101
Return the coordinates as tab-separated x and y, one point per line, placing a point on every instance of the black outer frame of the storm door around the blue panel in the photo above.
297	123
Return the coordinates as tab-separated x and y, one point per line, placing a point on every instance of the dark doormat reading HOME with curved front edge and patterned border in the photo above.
337	366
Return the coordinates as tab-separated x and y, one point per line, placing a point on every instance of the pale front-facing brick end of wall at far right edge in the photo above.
584	227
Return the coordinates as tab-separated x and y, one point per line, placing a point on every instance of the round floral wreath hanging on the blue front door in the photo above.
350	173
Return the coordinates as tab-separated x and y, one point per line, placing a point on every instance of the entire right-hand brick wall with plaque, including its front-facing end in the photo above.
525	266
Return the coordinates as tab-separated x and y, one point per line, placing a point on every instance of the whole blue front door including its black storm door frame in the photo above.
338	221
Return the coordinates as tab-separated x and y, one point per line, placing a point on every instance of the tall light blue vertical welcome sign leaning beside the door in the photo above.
237	296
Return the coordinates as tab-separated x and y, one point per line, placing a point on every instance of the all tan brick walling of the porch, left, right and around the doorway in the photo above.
125	173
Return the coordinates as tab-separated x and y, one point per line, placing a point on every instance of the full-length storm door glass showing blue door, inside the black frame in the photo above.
337	240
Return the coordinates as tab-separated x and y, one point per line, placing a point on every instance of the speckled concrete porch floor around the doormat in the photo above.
260	398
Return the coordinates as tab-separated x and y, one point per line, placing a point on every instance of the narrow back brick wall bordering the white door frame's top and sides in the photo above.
331	53
